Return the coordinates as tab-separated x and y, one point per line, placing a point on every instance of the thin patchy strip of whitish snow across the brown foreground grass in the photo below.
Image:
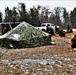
58	61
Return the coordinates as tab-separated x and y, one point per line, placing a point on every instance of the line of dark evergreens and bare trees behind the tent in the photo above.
38	14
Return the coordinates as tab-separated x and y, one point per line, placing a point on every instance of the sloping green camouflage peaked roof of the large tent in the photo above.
25	31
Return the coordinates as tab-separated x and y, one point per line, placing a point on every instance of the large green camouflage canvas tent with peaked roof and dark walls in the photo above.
24	35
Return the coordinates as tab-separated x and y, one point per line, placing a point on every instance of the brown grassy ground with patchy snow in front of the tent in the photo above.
59	59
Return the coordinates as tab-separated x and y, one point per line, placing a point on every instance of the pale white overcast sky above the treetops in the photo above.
68	4
